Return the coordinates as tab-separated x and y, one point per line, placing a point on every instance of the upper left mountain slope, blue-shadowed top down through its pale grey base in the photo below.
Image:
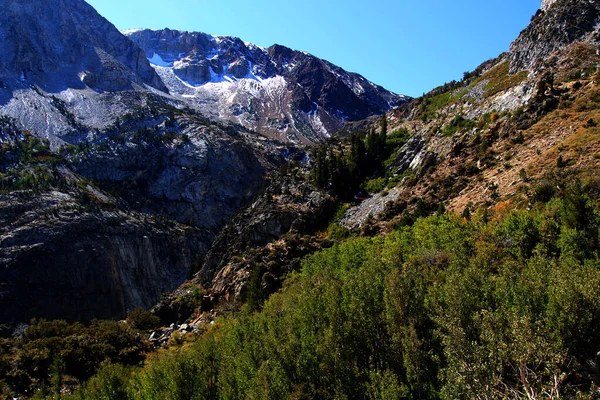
63	67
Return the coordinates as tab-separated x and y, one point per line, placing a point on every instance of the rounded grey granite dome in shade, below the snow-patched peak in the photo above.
201	177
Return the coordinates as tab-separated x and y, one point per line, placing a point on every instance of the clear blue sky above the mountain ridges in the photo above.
407	46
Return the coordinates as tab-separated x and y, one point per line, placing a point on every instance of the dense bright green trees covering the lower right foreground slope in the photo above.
506	305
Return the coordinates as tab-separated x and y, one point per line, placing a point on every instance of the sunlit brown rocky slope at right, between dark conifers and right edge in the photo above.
516	122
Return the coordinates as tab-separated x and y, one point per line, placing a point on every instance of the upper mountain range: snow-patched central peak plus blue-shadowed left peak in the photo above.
64	68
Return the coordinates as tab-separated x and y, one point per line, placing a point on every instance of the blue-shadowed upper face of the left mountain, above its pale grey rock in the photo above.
65	43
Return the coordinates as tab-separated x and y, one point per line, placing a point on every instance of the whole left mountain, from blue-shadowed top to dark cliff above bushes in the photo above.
110	191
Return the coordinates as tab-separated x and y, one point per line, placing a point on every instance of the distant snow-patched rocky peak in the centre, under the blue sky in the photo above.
284	94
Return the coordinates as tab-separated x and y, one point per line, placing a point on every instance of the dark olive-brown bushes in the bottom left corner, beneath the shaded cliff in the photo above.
56	354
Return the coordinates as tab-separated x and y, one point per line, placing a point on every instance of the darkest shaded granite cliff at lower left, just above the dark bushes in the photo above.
62	259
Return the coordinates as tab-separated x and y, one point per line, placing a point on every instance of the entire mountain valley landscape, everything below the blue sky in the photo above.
187	216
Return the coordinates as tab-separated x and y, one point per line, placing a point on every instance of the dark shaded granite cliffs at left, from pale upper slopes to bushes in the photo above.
98	222
